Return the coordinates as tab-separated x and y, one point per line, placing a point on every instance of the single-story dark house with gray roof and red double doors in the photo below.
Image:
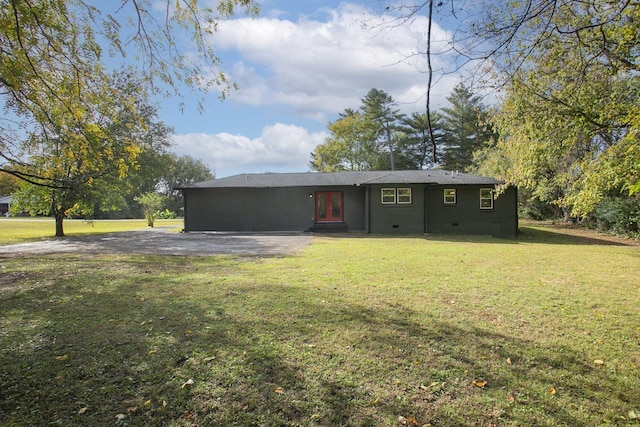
384	202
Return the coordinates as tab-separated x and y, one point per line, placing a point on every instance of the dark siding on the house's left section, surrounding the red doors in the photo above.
264	209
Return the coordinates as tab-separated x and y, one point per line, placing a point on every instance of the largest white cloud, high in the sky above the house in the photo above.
318	68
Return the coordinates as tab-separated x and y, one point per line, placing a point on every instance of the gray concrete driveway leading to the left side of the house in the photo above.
166	241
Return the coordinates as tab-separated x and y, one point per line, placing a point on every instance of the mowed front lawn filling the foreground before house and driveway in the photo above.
354	331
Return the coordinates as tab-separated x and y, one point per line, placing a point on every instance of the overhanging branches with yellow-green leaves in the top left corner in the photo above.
53	52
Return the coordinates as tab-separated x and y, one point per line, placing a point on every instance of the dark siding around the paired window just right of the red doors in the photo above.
397	218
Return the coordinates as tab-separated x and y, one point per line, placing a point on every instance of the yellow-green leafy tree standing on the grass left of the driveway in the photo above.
80	158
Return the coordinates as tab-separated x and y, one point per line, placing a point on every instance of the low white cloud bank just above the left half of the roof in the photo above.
281	148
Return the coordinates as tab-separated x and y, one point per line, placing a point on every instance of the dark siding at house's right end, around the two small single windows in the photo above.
465	216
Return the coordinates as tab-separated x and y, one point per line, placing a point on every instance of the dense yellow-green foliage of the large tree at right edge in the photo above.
570	121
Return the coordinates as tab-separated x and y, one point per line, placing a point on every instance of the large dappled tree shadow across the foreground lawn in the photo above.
76	356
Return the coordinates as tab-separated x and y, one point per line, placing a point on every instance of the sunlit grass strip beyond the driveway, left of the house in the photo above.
20	230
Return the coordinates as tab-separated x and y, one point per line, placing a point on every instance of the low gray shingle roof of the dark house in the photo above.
321	179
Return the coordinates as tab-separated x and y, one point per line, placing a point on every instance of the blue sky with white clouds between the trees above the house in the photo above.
298	65
